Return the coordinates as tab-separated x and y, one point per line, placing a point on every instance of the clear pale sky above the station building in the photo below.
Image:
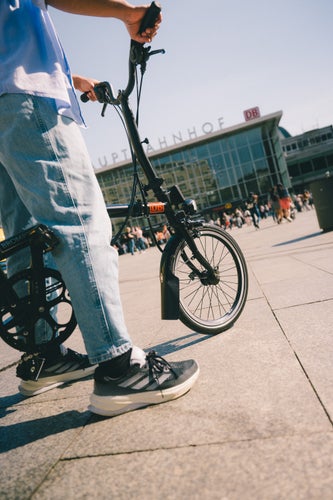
222	57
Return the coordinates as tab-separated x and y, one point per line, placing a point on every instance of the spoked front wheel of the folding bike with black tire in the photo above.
205	307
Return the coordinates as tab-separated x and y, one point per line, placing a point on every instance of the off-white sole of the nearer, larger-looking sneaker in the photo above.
111	406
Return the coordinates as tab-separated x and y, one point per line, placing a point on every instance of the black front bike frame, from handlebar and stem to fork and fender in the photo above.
184	221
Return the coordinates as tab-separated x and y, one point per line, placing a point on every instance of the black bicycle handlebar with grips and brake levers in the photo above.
139	55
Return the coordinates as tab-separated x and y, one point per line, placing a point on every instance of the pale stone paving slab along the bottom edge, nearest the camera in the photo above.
293	467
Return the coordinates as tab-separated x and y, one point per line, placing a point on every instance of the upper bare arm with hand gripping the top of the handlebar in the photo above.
120	9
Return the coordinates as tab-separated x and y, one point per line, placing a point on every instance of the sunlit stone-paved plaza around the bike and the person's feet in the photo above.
256	425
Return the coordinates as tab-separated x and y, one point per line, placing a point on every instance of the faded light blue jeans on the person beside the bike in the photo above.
46	177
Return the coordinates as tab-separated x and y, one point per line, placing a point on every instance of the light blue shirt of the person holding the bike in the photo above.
32	60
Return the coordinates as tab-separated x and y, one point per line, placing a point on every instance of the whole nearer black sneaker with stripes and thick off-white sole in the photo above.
150	380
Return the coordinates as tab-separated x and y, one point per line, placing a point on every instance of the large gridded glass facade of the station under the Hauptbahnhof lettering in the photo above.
220	168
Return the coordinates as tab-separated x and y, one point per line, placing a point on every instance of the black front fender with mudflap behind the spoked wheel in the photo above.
169	282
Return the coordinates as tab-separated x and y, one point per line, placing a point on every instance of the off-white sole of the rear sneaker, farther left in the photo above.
34	387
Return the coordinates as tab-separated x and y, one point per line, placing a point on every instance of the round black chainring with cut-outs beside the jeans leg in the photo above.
57	313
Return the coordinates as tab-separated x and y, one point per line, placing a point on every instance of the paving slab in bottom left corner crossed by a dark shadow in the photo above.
34	438
